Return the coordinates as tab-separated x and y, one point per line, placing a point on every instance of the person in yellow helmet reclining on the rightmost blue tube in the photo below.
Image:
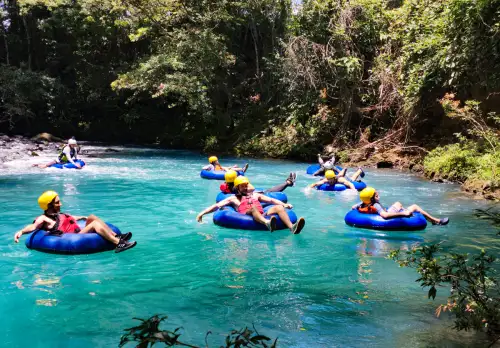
370	204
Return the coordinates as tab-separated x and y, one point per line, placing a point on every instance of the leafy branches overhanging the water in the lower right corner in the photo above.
475	291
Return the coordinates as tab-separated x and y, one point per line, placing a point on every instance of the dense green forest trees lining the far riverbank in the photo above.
275	78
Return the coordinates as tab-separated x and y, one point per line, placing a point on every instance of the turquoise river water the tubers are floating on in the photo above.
322	288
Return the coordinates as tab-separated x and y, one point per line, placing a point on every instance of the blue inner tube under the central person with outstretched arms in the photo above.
230	218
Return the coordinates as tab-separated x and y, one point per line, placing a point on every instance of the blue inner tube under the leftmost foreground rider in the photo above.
70	243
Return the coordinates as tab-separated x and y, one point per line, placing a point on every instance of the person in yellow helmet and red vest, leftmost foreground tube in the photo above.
58	223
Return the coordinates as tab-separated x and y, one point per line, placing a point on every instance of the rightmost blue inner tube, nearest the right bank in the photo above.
376	222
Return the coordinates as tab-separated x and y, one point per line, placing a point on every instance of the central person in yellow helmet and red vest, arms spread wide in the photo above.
249	204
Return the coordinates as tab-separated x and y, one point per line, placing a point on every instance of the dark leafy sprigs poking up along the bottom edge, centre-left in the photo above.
148	333
